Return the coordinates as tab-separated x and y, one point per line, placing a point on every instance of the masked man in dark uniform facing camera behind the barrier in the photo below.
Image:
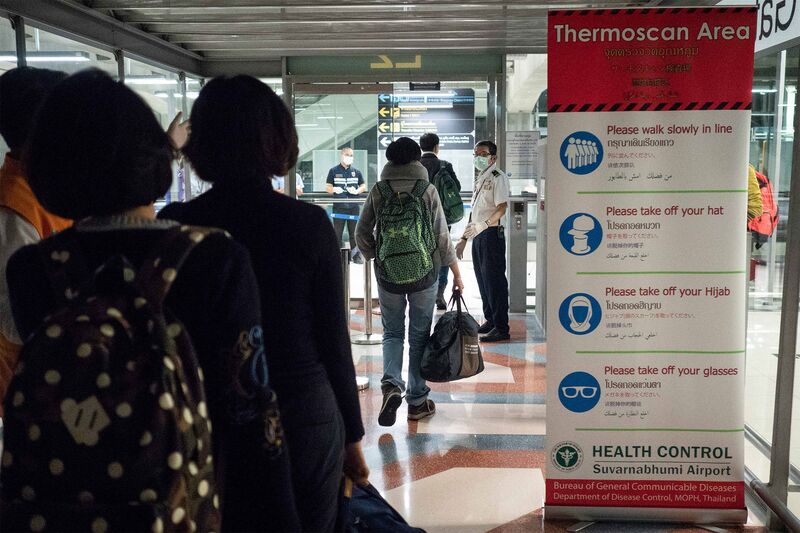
346	181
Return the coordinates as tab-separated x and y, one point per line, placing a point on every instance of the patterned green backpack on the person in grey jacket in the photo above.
405	240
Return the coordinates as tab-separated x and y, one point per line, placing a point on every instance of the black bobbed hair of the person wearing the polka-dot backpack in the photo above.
97	149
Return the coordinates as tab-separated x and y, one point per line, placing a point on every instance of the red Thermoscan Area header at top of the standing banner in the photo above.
650	59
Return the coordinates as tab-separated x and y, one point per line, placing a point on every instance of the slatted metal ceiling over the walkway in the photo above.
268	29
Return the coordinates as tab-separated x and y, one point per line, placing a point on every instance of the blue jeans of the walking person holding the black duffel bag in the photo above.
393	316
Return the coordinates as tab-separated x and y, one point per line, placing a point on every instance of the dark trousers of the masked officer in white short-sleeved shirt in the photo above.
489	260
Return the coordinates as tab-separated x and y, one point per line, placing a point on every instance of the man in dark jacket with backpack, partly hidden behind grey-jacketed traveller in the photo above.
442	175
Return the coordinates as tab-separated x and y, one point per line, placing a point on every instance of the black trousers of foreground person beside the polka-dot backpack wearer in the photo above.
315	435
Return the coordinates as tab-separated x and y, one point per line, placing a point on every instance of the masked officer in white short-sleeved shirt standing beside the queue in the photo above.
489	204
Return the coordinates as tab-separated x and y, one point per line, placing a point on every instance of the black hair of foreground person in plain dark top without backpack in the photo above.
242	132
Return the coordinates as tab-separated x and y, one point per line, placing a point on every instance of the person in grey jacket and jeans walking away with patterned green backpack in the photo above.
403	227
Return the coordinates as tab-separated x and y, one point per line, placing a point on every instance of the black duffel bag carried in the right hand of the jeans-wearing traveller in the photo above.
453	352
